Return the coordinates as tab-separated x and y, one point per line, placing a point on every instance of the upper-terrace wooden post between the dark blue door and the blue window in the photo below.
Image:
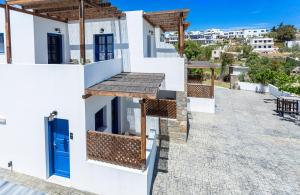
82	32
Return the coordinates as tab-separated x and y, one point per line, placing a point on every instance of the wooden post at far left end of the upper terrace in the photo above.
8	34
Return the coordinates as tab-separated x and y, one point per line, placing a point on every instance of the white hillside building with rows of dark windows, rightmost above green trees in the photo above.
263	45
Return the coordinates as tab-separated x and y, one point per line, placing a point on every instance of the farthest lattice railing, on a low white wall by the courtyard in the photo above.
200	91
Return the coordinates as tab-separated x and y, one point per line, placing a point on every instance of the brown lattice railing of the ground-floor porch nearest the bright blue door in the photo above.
115	149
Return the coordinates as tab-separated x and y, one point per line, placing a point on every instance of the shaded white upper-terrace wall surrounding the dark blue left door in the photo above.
42	27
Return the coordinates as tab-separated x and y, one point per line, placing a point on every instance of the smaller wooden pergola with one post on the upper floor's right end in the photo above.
174	20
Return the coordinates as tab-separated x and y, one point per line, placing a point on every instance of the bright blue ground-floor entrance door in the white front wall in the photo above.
59	148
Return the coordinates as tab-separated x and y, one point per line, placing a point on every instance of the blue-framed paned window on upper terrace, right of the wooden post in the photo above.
104	47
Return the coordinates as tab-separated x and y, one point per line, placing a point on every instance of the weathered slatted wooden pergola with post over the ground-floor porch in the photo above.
134	85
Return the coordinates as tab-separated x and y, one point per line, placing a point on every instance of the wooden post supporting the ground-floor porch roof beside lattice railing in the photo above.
143	129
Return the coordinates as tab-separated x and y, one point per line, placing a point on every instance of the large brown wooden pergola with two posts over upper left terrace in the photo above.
63	11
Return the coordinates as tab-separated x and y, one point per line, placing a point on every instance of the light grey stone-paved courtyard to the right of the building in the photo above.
245	148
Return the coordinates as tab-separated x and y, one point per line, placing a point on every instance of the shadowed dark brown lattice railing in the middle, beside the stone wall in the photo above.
161	108
